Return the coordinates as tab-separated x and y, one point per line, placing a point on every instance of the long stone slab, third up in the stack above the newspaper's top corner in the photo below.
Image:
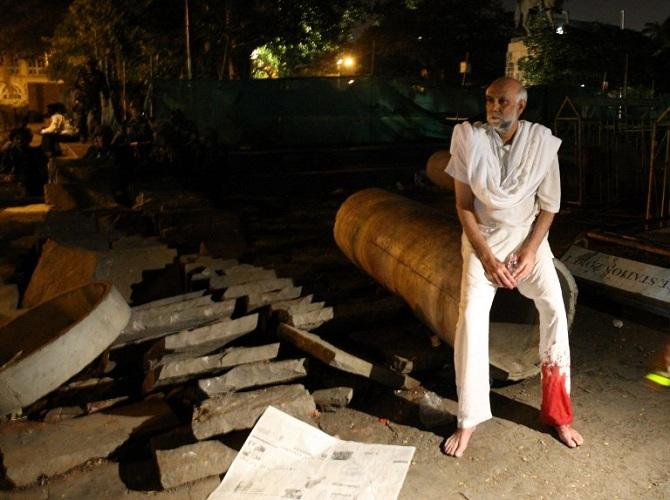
175	369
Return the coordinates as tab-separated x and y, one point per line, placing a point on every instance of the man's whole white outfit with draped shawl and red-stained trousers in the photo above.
513	183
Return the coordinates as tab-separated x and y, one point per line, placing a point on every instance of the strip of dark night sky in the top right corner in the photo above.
637	12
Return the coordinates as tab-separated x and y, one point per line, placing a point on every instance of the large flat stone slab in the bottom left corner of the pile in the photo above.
31	450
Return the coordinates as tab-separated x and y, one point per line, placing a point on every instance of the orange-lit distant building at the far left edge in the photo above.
24	83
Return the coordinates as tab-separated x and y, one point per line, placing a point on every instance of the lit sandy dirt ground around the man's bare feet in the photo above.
625	424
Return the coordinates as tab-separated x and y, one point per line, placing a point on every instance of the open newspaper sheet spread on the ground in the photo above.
284	457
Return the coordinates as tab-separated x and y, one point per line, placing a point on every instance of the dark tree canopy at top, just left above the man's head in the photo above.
410	35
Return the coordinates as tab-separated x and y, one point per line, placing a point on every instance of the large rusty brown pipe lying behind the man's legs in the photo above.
415	252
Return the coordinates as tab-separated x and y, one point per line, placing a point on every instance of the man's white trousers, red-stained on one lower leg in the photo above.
471	345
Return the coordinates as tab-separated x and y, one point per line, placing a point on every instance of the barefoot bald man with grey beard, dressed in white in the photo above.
507	190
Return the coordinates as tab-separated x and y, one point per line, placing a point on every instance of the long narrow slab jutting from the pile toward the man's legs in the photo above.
337	358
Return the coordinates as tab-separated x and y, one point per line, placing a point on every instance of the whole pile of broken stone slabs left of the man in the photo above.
182	374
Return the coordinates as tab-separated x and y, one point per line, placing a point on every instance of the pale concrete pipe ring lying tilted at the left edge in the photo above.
45	346
